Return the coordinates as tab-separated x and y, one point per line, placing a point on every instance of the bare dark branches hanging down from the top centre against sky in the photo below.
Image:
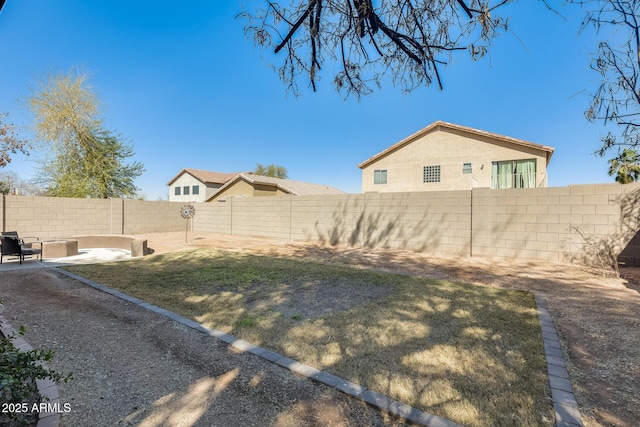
405	40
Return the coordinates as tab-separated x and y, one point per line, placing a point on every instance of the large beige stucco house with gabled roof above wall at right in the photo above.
445	156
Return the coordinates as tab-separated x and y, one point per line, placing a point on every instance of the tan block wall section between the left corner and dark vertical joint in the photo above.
436	222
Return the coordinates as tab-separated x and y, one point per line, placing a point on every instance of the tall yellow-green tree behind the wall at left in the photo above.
87	160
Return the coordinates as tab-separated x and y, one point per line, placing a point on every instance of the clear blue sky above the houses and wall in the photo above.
187	89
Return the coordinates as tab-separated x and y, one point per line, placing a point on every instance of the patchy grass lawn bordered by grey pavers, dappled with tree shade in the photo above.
472	354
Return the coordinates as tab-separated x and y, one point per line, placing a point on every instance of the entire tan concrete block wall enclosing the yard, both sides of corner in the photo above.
584	223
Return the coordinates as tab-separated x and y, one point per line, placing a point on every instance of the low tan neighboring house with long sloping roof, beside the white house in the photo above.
251	185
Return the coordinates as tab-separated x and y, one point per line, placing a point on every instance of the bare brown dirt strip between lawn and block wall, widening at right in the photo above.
597	315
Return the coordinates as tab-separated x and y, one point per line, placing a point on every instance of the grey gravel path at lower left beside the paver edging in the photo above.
135	367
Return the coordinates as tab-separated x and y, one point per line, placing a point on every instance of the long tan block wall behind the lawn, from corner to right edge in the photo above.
575	223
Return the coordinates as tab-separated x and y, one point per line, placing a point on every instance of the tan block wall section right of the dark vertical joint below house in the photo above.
575	223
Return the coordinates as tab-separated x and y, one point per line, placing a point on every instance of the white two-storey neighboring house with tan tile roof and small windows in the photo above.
193	185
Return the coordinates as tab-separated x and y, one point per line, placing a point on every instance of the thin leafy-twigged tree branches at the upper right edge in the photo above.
617	99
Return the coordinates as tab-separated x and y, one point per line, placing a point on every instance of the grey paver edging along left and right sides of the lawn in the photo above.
565	406
